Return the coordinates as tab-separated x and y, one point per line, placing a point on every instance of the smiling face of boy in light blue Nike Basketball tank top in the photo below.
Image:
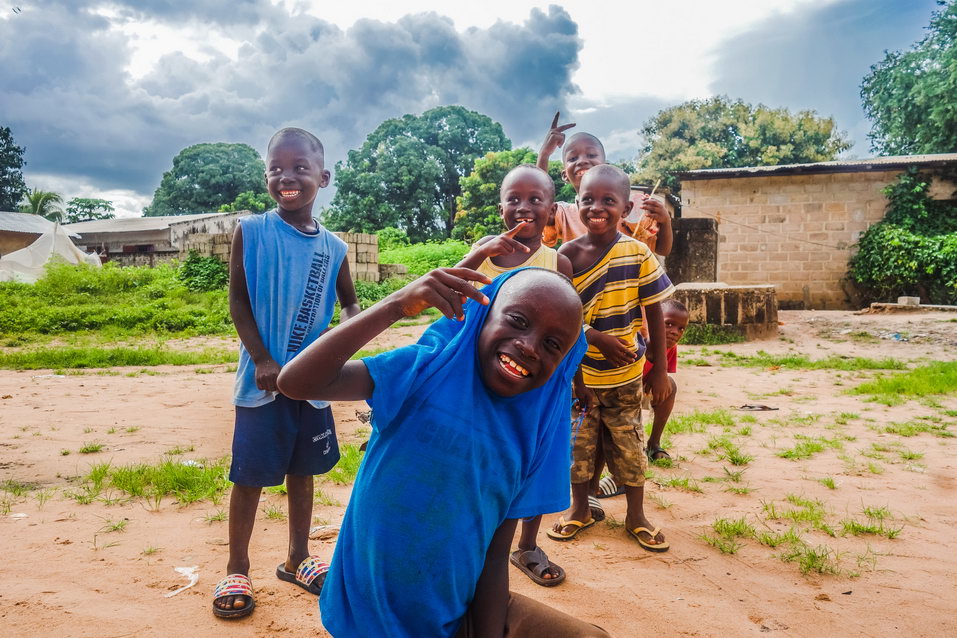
295	173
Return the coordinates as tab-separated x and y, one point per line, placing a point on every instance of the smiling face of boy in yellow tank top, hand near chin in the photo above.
527	195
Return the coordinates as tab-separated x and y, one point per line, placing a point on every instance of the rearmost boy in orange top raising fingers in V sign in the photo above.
582	152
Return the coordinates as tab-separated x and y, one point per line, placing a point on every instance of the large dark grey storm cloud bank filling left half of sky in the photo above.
70	102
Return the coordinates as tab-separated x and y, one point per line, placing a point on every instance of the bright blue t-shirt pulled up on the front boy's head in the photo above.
447	463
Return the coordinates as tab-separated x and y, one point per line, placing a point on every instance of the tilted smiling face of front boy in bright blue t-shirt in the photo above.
531	326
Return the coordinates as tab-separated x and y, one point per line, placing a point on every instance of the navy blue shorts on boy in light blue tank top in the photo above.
280	438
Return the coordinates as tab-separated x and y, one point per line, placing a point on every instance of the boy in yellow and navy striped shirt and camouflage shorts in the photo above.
615	276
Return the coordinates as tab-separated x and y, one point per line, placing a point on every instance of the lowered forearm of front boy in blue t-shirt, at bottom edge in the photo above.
490	605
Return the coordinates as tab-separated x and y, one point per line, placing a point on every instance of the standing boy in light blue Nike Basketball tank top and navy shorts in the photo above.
283	267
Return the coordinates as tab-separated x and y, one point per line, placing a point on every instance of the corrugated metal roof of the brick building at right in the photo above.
890	162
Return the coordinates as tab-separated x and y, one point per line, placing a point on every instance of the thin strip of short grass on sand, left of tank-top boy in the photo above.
53	358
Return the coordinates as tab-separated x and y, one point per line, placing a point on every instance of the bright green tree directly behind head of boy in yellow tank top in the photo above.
478	214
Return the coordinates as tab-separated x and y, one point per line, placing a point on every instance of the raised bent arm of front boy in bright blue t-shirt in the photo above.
323	370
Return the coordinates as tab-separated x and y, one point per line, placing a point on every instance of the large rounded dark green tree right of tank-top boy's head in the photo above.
406	174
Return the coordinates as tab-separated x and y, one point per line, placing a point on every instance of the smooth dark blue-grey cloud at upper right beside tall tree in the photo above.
816	58
